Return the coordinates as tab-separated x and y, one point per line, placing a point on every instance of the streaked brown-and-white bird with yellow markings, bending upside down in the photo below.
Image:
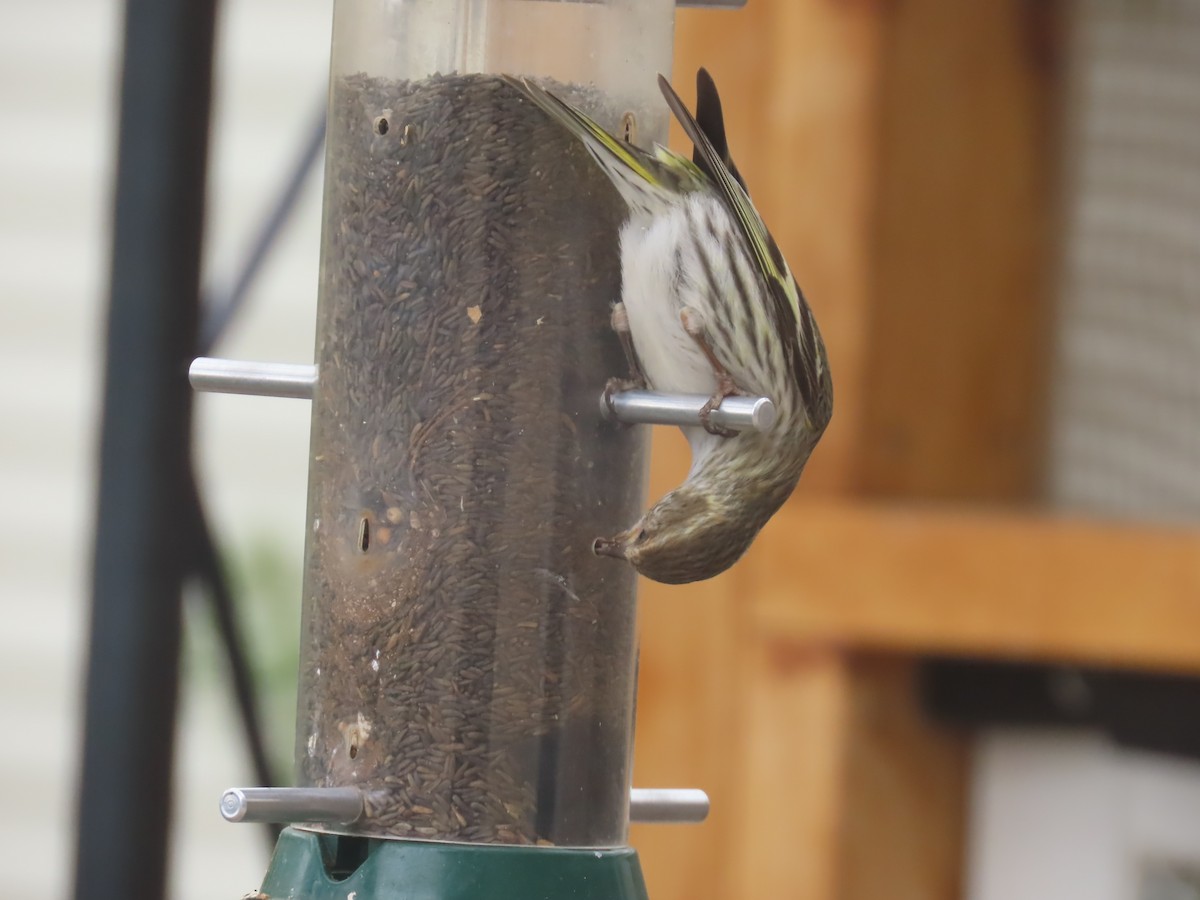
709	305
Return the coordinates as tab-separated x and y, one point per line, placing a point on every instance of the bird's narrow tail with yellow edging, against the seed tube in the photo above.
637	176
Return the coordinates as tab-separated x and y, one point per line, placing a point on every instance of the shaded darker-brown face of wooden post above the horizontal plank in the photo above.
955	386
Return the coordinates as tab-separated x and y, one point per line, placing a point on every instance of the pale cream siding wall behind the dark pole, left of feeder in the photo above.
61	65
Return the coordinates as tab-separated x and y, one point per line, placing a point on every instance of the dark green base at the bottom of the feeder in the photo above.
326	867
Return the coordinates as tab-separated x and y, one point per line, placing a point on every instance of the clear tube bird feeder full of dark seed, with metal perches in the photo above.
467	663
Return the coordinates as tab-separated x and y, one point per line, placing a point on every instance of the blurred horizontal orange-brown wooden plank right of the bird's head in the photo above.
917	580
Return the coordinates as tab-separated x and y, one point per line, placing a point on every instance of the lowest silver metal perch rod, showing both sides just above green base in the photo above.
344	806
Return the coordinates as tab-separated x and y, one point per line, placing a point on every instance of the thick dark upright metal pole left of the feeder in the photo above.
143	542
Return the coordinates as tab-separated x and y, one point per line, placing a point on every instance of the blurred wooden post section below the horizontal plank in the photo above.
867	808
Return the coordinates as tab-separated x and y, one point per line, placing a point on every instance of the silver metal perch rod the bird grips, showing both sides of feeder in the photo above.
284	380
